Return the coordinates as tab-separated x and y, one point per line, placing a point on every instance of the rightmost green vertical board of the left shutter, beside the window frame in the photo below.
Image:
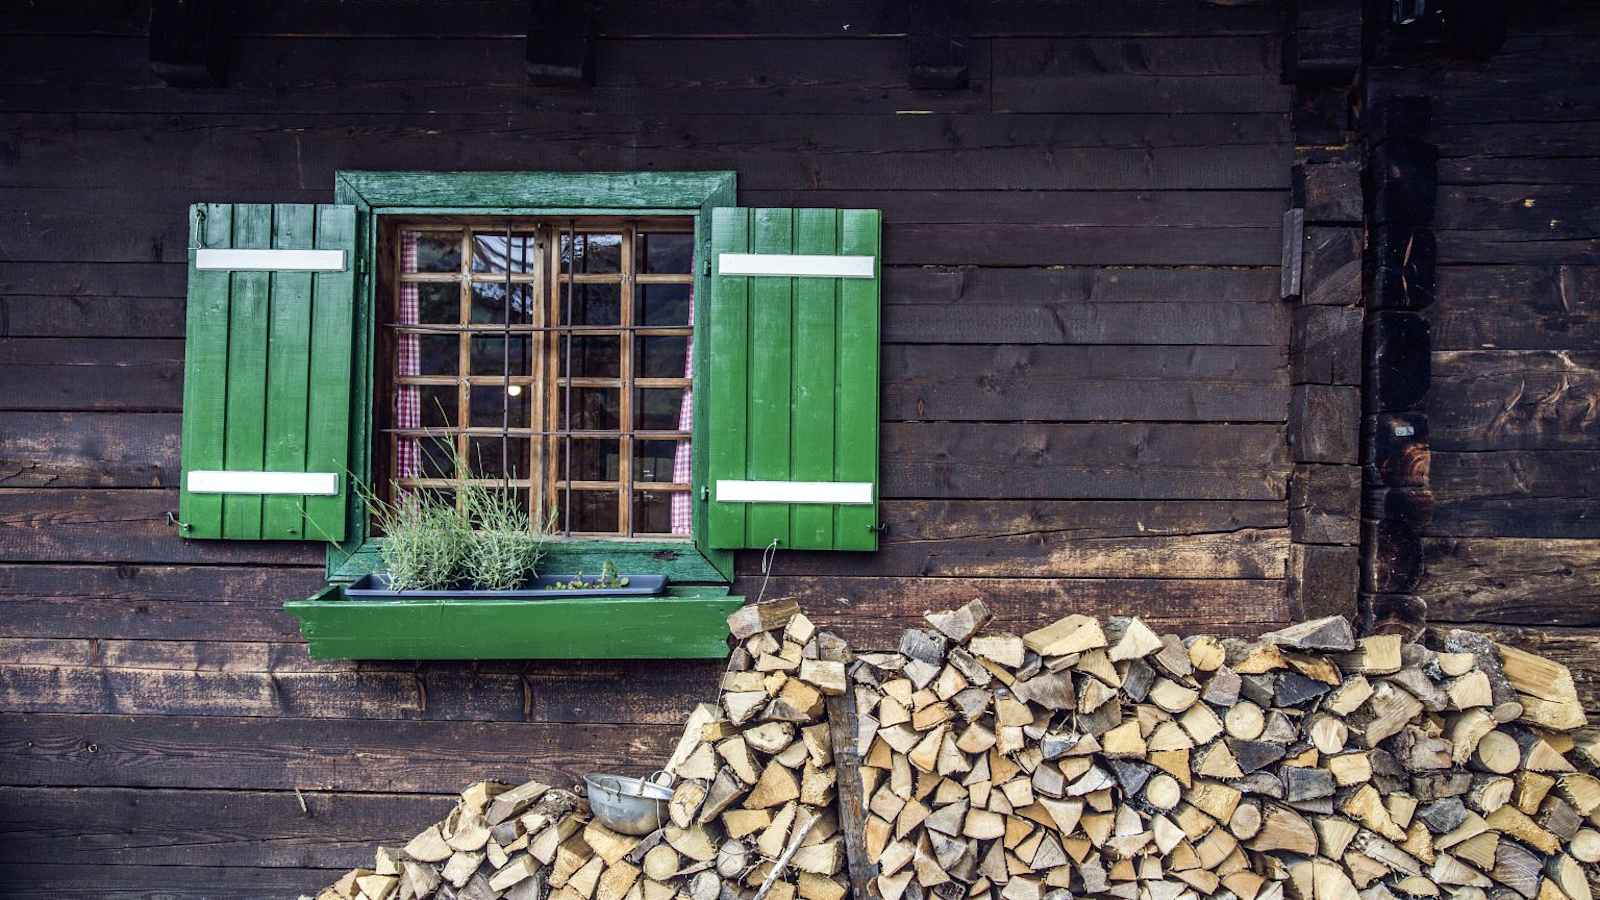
332	353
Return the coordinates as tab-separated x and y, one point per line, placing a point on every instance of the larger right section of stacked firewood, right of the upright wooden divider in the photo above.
1113	761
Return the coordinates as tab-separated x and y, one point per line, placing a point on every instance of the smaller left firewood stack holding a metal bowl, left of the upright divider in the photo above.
751	814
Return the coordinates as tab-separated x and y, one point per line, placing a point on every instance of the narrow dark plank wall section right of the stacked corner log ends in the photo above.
1514	408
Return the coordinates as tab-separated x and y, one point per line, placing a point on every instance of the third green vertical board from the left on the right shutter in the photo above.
815	379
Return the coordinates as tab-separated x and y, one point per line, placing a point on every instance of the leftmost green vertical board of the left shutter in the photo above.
206	368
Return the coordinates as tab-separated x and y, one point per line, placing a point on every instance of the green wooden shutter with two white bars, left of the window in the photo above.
268	372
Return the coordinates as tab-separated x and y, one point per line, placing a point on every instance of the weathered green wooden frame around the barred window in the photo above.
377	195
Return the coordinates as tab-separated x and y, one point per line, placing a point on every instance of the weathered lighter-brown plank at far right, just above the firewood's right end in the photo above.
1513	581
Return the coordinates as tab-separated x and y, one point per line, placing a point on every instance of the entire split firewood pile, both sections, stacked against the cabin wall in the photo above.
1079	760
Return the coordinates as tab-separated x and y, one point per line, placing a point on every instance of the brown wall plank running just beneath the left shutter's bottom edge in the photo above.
121	526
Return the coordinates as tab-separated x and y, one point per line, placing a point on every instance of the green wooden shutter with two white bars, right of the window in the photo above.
793	384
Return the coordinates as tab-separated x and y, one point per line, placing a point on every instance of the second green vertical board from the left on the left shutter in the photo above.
246	424
